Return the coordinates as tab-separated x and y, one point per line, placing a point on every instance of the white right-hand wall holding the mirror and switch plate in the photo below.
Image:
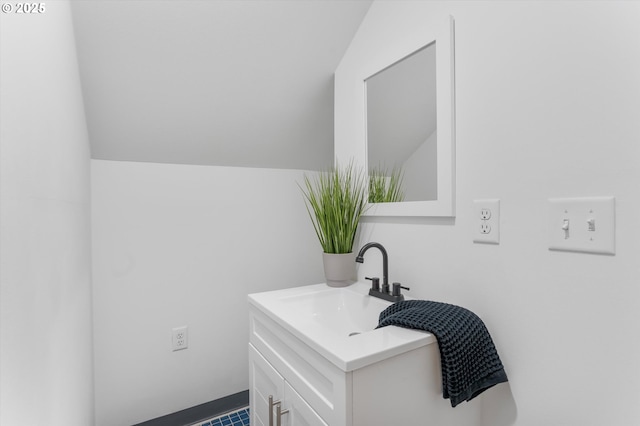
548	100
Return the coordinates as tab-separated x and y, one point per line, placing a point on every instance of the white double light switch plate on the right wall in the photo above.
582	224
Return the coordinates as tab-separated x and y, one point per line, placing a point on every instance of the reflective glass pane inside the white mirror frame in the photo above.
401	124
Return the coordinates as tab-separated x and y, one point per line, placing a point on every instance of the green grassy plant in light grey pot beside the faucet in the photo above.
335	200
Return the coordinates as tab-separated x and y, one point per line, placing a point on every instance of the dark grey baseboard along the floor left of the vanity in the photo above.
202	412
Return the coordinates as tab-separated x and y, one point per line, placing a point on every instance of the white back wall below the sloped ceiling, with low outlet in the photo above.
183	245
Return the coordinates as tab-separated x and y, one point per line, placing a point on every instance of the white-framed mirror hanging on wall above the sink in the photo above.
409	126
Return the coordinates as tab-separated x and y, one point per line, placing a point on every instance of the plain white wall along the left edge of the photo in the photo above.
45	288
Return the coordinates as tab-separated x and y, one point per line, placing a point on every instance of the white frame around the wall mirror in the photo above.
444	206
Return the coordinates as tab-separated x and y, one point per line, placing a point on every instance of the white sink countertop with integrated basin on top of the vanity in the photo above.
338	323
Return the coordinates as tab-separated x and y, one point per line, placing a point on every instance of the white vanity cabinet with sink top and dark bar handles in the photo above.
320	376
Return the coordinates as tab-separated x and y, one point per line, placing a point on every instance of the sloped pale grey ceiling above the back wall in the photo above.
213	82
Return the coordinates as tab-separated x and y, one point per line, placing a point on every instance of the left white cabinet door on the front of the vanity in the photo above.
264	380
